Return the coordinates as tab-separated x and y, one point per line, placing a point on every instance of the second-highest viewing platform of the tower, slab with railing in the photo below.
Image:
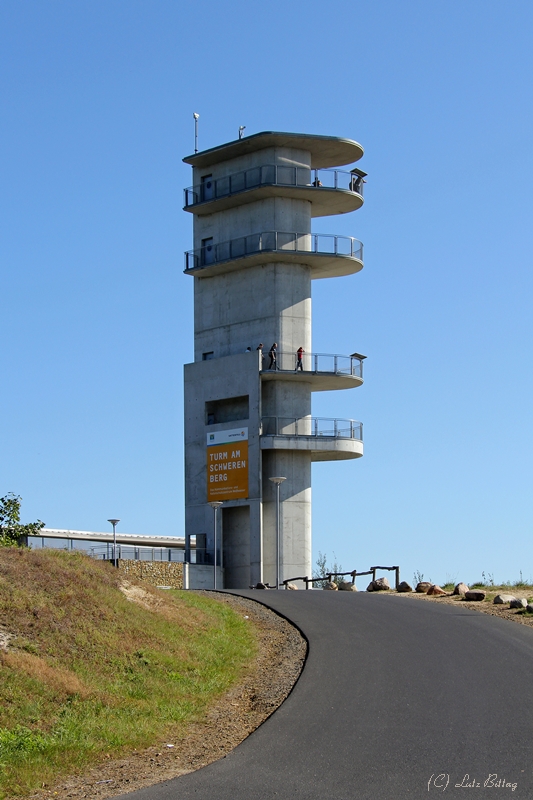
329	256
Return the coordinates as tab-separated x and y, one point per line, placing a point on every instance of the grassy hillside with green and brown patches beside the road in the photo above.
89	667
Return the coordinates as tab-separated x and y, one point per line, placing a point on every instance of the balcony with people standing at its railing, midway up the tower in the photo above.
323	371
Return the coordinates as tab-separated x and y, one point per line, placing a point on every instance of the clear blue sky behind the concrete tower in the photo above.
96	315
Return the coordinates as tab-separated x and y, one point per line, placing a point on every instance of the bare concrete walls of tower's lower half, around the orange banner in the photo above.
251	532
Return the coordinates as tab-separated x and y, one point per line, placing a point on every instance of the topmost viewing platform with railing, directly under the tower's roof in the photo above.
330	191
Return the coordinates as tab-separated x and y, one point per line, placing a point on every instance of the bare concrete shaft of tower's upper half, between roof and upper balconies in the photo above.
269	303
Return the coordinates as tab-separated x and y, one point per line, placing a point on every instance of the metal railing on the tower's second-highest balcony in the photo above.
271	242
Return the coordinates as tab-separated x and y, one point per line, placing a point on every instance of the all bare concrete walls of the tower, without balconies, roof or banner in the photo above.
233	311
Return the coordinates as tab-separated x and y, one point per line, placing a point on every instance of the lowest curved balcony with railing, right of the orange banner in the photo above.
327	439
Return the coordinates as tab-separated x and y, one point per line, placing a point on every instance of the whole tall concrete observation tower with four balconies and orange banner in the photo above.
247	419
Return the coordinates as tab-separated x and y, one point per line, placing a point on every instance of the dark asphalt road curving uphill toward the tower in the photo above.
399	698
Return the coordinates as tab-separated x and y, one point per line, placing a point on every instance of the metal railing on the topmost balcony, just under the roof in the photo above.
272	175
